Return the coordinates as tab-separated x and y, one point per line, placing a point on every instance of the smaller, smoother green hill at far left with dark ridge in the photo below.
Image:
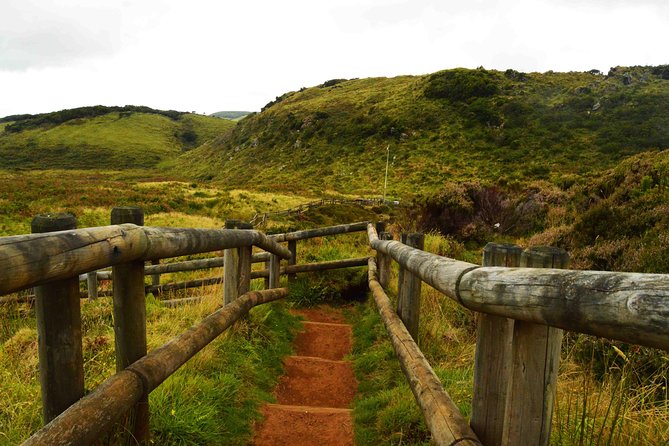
103	137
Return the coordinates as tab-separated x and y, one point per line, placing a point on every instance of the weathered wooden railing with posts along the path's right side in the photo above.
523	310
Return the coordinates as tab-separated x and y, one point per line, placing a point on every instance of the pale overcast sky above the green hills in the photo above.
212	55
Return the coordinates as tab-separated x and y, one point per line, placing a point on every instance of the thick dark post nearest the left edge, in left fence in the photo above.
58	314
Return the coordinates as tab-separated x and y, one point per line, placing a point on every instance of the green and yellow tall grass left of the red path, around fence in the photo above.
213	399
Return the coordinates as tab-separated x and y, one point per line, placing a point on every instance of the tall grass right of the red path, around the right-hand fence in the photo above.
608	393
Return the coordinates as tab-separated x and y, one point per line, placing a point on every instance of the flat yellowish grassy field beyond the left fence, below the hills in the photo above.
90	195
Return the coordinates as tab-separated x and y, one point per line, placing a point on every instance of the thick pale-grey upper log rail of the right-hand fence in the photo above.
630	307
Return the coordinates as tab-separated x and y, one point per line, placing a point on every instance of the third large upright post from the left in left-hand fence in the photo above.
236	266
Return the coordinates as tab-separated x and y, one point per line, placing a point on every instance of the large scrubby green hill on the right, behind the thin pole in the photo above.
451	125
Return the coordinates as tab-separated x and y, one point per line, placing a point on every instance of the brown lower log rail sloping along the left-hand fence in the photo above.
92	416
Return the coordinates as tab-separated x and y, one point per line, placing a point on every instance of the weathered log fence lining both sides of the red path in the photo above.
522	312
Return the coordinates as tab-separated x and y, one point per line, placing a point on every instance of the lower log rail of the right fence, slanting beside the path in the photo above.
442	416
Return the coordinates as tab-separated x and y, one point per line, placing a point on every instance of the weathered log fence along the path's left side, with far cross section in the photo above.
52	263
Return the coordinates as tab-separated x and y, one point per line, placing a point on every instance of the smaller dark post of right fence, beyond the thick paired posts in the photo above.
408	290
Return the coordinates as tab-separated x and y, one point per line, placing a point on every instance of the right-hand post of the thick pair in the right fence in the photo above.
536	358
